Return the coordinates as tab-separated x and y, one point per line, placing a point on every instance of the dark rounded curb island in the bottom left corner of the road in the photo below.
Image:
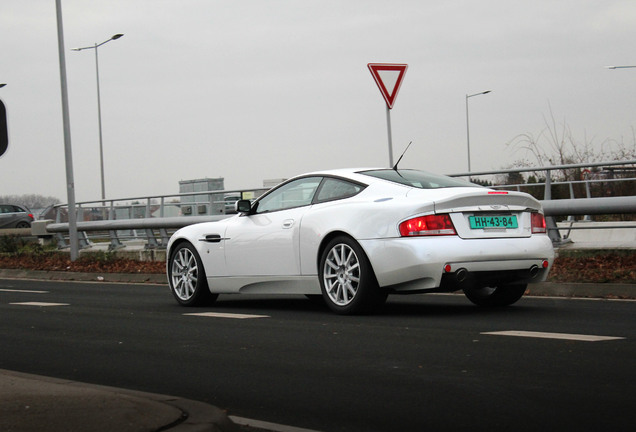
68	405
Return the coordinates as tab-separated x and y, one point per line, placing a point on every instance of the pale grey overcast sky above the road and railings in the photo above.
255	89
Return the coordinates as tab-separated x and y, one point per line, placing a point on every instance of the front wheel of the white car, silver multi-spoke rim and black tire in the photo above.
187	279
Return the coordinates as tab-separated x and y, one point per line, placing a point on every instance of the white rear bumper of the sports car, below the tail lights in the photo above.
418	264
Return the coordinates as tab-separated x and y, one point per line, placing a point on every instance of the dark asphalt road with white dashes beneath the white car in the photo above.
424	363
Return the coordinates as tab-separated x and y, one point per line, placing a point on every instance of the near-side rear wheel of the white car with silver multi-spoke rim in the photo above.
347	280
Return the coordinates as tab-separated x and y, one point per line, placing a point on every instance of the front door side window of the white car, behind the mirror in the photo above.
297	193
